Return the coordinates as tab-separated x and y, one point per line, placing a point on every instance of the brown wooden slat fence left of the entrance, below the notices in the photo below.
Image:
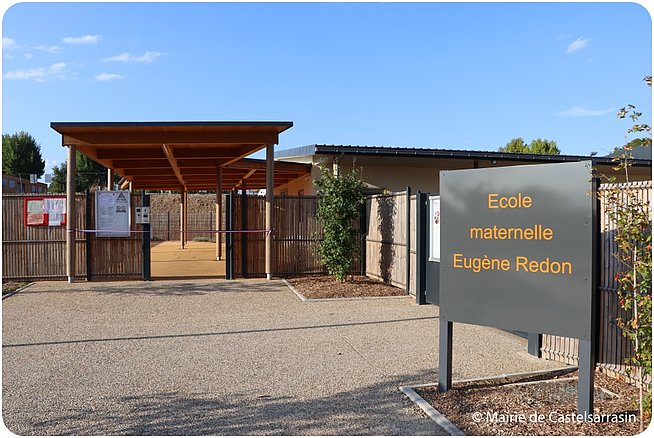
39	253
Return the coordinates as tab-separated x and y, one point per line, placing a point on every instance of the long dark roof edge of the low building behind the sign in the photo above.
408	152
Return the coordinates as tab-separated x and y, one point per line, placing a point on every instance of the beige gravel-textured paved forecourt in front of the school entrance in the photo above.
226	358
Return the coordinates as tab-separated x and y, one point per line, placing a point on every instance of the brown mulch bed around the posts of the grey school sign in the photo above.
538	408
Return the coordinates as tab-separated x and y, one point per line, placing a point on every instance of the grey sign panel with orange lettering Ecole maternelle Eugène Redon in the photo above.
516	248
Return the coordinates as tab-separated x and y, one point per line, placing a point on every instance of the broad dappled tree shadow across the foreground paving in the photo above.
379	409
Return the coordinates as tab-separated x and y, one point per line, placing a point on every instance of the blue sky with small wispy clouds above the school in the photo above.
454	76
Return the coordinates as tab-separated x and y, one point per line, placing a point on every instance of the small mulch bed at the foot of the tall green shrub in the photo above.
355	287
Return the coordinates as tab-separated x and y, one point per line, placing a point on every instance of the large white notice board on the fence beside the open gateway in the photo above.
112	213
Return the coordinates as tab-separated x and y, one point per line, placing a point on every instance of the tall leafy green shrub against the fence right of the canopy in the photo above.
339	201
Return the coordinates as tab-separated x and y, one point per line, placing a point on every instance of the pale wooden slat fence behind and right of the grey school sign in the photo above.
613	347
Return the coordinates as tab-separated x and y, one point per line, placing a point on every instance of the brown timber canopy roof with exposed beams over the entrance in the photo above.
172	155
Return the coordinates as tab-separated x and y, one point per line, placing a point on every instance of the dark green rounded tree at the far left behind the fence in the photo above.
21	155
